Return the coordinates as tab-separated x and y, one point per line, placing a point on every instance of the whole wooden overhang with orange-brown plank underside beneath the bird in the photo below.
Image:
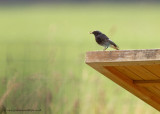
138	71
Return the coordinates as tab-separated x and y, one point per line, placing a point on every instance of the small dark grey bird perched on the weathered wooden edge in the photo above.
103	40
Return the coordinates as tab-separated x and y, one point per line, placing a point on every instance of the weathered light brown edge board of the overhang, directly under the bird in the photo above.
124	57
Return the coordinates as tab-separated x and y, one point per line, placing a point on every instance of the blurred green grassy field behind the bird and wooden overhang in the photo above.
42	56
